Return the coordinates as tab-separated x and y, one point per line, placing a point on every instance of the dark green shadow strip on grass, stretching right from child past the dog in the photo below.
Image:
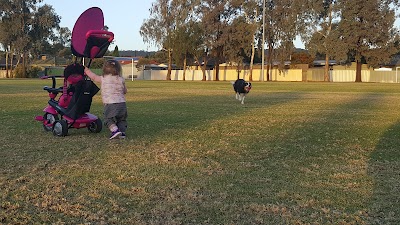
151	118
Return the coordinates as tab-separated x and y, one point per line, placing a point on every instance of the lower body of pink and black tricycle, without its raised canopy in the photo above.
71	110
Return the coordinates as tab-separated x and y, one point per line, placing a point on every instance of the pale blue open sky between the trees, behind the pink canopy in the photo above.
123	17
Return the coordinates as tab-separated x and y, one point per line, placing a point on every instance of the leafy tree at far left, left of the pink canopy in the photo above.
26	27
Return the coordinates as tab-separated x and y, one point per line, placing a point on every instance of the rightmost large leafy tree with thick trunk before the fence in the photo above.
366	32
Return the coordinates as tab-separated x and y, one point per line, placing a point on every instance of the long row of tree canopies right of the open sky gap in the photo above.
359	31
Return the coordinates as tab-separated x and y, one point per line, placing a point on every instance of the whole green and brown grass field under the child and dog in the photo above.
294	153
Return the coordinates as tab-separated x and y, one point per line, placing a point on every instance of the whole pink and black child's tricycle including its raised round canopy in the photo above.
71	109
